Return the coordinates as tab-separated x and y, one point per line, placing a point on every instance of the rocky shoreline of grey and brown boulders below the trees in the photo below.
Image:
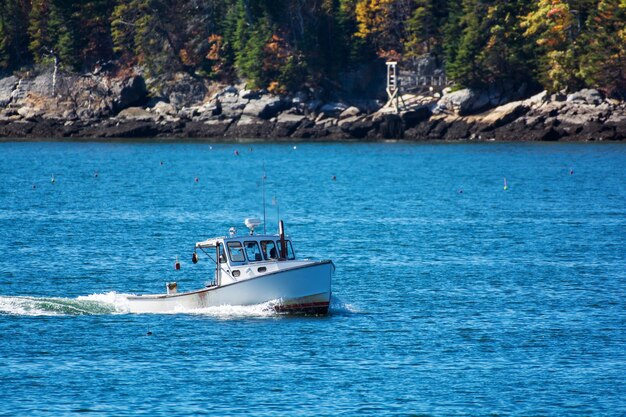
96	106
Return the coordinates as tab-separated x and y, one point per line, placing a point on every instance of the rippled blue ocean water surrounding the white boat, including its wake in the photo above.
452	296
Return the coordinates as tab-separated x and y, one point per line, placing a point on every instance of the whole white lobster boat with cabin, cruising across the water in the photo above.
250	270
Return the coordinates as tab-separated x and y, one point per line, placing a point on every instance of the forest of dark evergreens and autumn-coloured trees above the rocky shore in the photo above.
282	44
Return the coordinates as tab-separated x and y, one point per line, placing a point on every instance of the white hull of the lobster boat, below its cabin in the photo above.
301	289
